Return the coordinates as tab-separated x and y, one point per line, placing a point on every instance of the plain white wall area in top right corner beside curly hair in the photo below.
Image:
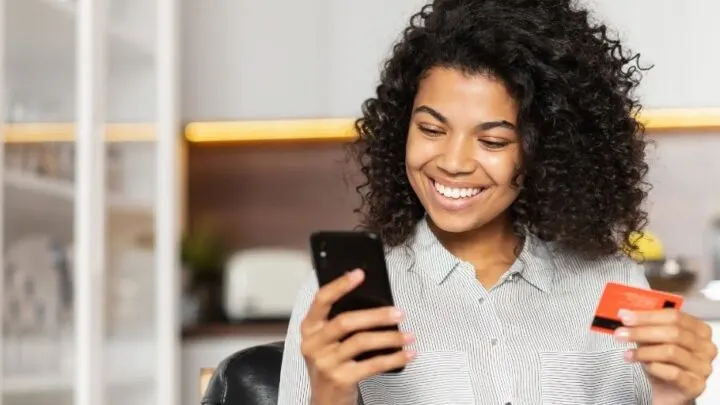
682	40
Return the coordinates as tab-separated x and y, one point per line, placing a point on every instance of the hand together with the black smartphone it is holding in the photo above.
351	329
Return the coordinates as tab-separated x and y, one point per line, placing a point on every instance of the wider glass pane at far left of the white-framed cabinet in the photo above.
38	186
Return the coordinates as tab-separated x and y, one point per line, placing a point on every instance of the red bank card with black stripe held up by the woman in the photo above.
619	296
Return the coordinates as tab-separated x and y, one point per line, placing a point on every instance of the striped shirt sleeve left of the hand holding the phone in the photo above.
294	380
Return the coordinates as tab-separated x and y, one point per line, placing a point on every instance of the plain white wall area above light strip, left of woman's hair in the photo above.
273	59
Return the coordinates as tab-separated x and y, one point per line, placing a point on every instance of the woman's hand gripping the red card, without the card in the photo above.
676	350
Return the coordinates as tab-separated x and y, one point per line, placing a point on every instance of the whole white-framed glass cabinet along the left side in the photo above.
89	157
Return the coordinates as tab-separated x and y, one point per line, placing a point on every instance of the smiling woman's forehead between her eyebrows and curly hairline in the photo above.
462	97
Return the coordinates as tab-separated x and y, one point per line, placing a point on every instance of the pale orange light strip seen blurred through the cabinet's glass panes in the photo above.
65	132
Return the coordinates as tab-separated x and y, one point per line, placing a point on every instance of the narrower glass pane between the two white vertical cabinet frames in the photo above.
130	183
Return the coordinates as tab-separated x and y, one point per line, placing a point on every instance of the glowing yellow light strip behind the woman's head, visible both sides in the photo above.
341	129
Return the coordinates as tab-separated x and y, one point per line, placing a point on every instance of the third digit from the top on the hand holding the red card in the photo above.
671	355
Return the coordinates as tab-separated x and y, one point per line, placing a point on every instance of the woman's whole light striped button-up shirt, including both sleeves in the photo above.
526	341
